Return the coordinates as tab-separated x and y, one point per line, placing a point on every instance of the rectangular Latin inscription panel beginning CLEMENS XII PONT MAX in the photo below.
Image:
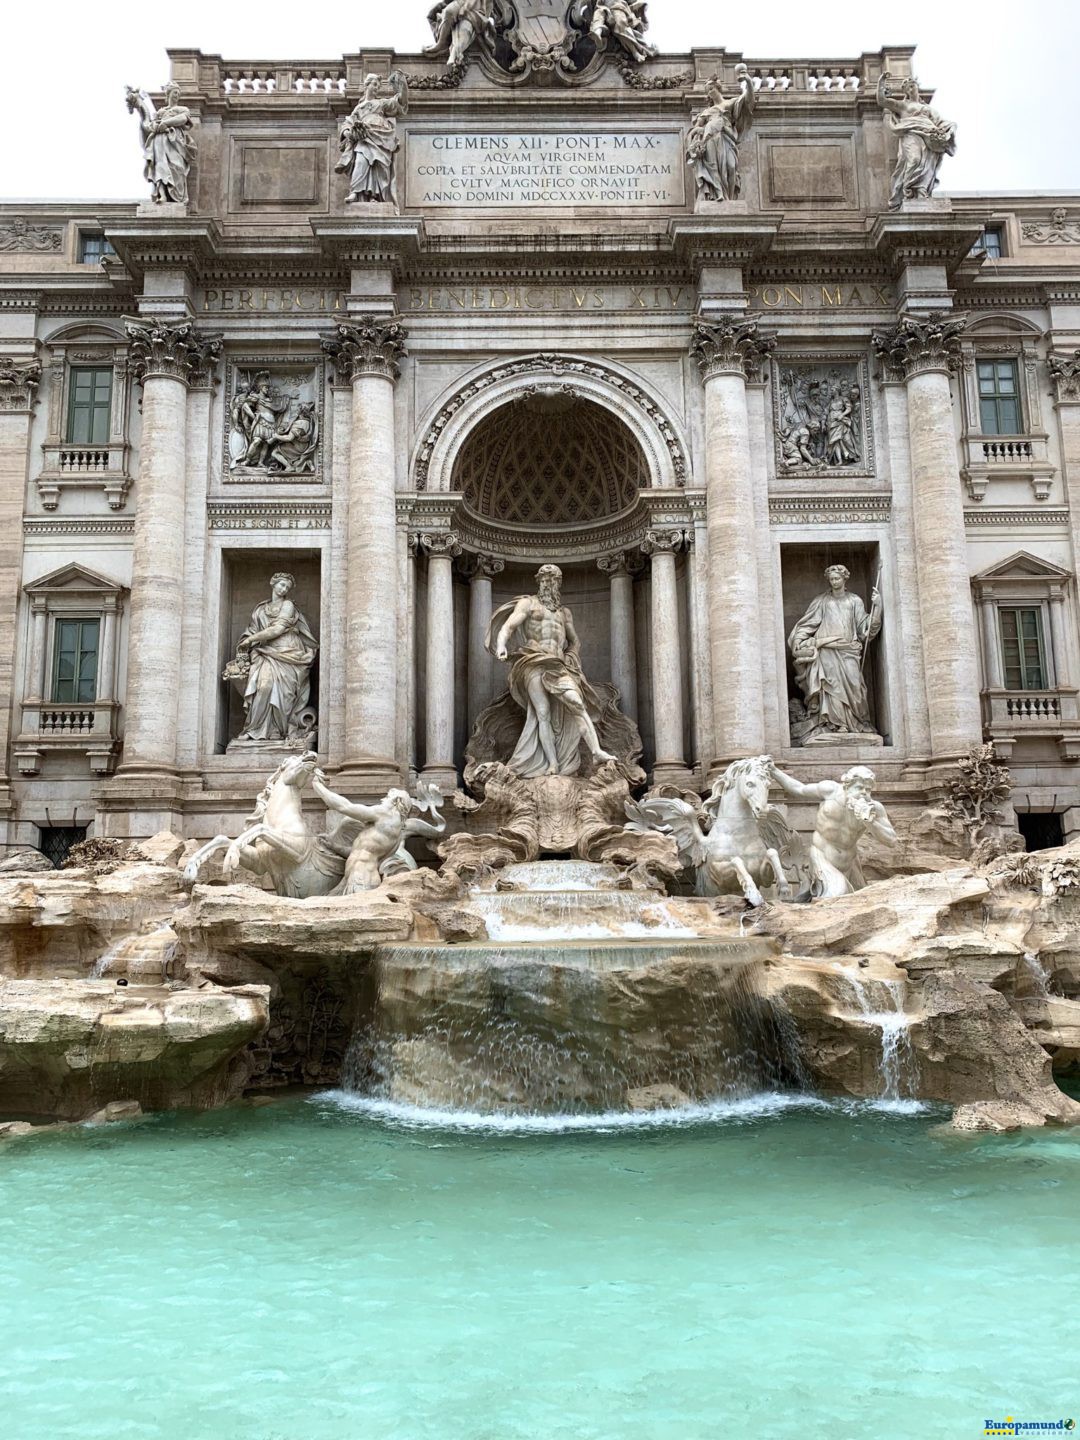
485	171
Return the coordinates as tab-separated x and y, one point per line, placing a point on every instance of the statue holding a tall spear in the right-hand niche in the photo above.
829	647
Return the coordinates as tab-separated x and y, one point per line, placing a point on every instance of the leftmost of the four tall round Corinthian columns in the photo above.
166	359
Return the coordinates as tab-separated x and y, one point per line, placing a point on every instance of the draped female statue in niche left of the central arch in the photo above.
276	656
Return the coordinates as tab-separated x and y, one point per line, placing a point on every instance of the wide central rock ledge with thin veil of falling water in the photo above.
565	1027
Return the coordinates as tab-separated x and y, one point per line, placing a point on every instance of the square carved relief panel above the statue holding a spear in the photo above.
822	418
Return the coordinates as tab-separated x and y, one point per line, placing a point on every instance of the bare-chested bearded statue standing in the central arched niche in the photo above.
546	680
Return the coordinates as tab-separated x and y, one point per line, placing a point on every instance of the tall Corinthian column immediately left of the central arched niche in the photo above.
366	355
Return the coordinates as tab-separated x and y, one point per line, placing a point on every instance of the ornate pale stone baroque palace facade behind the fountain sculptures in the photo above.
395	330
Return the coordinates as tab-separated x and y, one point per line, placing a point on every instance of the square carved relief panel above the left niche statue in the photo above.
273	421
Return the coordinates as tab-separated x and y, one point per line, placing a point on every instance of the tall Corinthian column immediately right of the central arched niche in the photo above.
729	354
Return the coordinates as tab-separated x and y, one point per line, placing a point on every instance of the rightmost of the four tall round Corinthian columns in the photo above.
922	352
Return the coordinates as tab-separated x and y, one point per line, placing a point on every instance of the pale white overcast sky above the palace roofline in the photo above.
1006	73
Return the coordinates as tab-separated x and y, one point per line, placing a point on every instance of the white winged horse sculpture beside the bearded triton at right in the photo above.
734	840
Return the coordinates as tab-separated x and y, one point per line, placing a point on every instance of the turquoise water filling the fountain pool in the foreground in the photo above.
315	1272
